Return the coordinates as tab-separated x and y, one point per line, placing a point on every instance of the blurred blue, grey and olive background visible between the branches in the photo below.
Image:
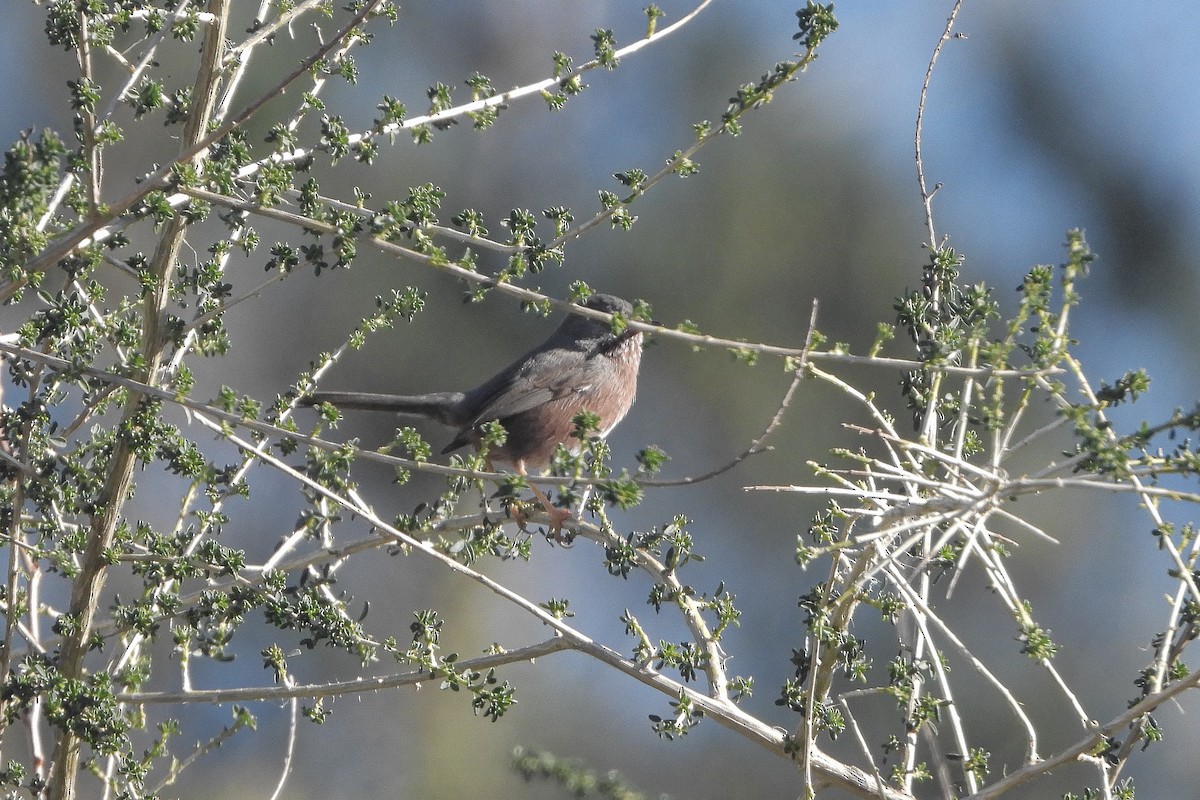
1046	117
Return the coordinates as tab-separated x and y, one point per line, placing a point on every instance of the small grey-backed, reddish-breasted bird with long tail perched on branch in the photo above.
585	366
